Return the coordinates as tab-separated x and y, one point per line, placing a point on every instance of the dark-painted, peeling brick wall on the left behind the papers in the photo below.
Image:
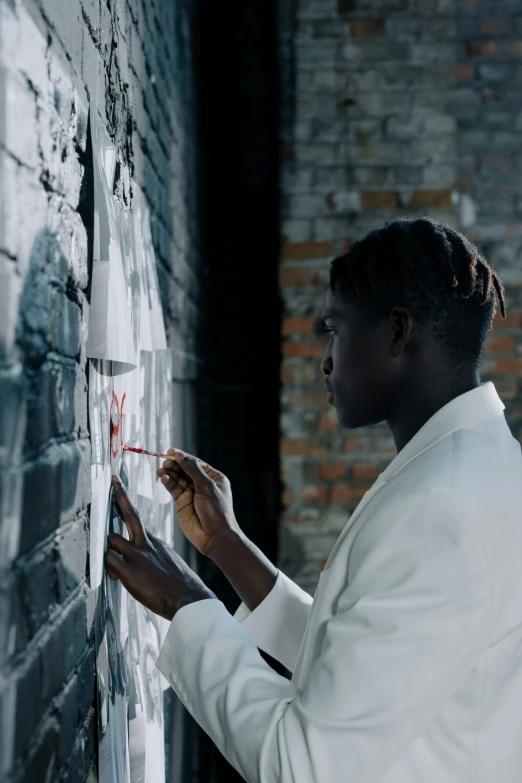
51	54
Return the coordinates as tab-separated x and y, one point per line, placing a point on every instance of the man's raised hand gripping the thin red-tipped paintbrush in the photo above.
203	500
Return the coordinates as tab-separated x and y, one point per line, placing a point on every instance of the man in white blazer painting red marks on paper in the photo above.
407	664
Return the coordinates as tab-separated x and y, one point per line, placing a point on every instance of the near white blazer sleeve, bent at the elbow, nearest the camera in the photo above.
412	620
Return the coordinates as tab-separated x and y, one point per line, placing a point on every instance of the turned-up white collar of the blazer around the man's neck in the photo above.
462	412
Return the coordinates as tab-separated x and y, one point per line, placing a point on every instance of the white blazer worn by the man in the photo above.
407	664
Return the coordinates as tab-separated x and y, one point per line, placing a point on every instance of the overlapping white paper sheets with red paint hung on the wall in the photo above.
130	381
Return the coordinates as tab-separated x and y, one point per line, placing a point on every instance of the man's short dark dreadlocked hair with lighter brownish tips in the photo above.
433	270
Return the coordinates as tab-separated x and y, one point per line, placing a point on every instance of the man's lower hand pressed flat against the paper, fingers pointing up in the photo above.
153	573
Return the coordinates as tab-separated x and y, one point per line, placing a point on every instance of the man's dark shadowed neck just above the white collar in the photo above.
422	401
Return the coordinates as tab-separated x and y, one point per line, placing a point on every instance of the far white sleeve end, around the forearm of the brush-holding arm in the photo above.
278	624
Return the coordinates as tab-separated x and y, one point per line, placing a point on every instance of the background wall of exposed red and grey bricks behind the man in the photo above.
389	108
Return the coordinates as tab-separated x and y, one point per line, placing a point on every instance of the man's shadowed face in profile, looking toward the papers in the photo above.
357	363
